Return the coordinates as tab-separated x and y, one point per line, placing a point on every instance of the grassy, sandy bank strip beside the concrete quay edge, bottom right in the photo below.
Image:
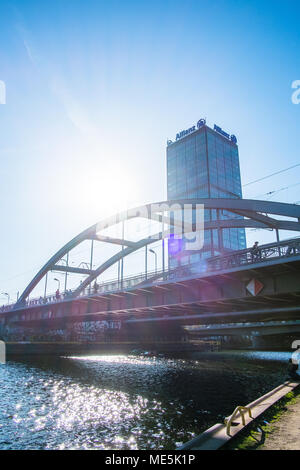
277	429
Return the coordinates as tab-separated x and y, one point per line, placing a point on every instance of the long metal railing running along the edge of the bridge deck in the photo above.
248	256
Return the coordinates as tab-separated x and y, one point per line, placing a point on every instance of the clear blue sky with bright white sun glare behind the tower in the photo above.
95	88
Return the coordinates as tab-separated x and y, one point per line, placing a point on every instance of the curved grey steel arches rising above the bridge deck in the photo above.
245	213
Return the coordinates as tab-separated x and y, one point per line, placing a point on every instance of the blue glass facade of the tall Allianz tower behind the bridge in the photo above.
205	164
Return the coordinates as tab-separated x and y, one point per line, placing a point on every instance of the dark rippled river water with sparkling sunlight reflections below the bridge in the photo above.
122	402
